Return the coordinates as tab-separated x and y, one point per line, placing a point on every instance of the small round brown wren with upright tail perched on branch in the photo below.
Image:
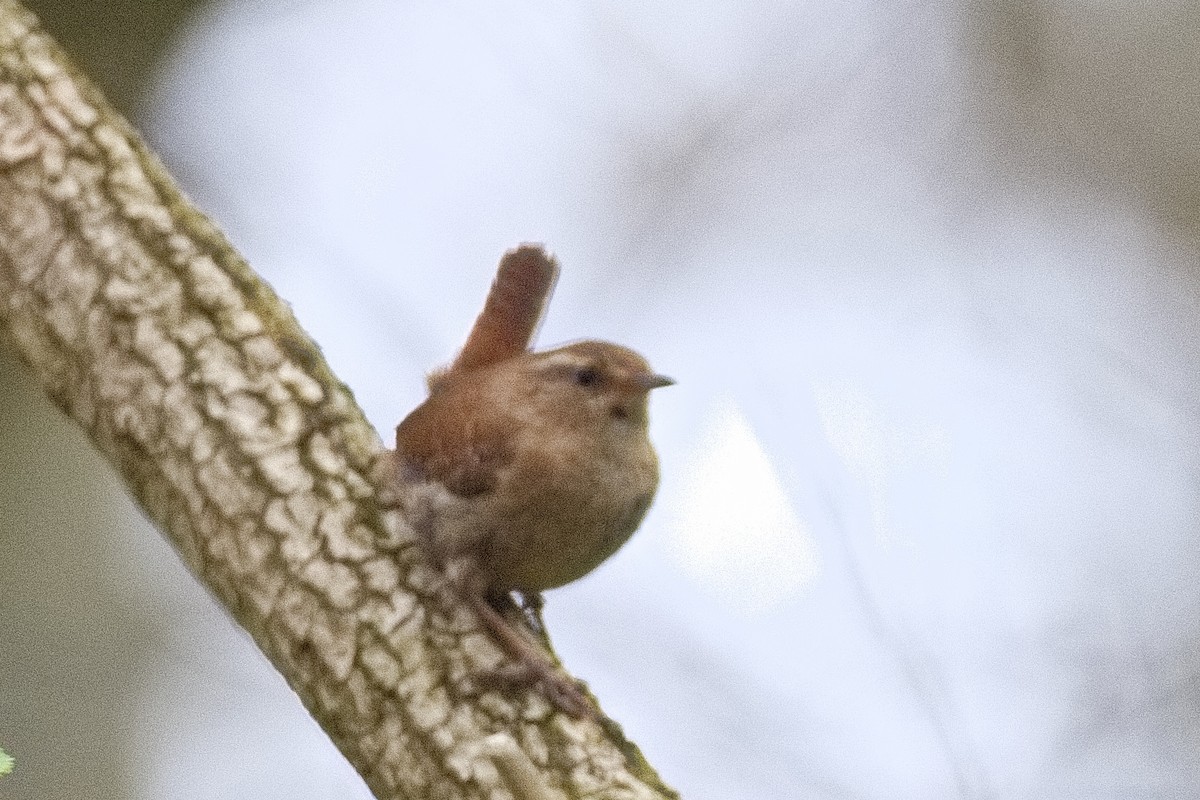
526	471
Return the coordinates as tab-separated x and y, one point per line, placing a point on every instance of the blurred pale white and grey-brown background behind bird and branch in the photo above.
927	275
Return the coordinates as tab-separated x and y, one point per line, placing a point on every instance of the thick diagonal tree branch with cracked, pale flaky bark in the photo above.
197	384
